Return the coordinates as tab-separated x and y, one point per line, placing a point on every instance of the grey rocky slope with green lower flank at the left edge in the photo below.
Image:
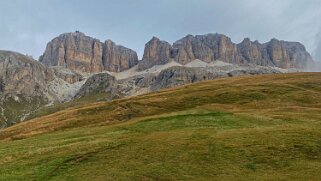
27	85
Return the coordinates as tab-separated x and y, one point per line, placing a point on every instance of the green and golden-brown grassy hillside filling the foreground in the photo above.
260	127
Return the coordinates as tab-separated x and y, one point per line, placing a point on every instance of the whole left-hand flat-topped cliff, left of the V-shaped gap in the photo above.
81	53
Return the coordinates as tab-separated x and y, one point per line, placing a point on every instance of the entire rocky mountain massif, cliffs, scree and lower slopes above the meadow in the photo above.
74	66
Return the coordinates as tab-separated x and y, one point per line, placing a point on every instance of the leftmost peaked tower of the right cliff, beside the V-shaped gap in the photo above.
156	52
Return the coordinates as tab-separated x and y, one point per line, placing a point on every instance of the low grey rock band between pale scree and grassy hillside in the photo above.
107	87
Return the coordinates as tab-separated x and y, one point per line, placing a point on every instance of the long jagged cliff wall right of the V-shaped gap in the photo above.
212	47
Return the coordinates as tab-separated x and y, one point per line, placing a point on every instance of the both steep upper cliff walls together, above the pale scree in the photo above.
81	53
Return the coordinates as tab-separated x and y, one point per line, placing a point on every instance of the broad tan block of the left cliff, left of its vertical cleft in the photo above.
74	51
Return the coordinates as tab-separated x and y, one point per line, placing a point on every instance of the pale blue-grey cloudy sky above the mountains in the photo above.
27	25
